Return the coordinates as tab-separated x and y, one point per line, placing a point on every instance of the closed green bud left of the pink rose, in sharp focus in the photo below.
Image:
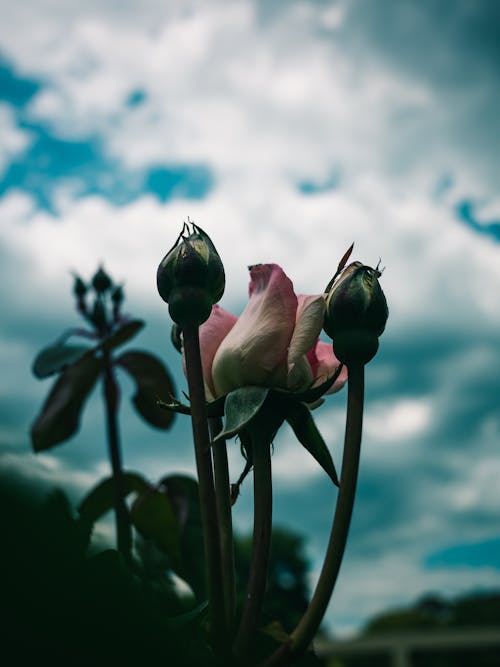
190	278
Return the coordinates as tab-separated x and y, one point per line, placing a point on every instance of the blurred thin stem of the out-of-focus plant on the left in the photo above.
111	398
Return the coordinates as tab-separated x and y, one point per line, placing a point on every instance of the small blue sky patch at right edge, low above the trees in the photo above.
476	554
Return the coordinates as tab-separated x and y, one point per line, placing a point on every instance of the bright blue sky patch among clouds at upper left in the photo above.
83	165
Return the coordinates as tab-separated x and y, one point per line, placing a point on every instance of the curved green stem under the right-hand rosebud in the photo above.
305	631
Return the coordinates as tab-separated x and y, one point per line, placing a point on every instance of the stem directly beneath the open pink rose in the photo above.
263	507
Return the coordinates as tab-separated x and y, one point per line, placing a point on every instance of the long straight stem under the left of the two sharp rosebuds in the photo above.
204	469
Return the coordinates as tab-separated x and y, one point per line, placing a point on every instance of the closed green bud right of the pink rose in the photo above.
356	313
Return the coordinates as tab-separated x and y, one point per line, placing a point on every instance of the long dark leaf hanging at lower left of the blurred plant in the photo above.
59	418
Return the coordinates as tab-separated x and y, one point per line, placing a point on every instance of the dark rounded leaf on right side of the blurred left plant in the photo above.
152	382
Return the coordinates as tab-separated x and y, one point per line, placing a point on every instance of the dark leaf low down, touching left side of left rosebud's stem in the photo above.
183	493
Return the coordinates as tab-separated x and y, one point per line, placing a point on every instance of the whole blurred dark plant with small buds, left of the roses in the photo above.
79	367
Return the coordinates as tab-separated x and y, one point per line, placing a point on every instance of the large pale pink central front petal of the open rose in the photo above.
255	350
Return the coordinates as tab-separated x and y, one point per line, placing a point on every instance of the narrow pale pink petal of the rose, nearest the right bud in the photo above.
308	324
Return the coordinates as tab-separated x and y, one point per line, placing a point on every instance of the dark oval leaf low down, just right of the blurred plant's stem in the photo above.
153	515
